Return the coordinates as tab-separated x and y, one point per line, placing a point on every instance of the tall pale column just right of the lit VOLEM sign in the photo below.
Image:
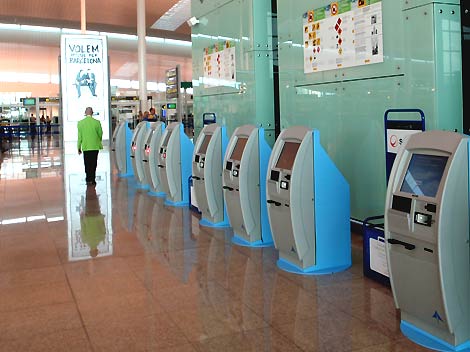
142	53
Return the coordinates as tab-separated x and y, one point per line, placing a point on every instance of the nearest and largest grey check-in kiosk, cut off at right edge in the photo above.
427	239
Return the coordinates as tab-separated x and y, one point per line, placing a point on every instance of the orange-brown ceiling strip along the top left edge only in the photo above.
102	15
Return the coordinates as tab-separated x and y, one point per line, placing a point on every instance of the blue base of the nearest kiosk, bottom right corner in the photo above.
429	341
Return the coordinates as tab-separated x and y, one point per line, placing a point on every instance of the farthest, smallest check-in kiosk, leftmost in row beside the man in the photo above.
121	145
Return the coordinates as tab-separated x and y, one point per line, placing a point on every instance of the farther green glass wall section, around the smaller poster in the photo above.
247	23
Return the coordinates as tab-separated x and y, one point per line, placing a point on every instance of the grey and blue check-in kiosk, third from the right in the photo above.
244	184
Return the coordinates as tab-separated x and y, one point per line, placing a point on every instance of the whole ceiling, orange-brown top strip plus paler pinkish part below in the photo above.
37	52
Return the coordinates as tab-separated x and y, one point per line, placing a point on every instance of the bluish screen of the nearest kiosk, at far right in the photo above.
424	174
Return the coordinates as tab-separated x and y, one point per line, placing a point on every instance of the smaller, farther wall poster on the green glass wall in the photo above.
219	65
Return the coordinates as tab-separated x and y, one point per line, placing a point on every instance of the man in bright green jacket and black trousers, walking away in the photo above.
89	142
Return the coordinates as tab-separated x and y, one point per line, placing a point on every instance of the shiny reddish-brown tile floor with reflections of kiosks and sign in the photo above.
116	270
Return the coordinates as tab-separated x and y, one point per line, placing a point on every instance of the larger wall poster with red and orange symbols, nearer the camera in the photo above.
342	34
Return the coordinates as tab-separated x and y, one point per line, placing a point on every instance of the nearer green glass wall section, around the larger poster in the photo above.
421	69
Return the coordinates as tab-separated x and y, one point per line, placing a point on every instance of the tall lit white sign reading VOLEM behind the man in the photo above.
85	81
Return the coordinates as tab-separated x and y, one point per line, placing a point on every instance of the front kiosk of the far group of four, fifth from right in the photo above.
174	162
